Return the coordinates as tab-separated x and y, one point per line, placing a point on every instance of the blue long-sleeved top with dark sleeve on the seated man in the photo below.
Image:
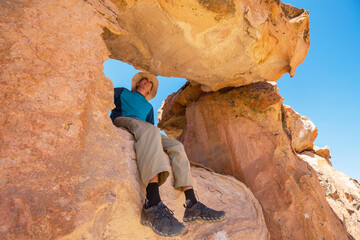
131	104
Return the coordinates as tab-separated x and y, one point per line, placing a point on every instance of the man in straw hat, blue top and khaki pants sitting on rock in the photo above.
136	114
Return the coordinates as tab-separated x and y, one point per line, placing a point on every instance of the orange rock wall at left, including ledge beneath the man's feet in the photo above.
65	170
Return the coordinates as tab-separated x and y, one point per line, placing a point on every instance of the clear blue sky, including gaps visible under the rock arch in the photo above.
326	86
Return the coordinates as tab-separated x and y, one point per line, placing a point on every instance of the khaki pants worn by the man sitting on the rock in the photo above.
149	147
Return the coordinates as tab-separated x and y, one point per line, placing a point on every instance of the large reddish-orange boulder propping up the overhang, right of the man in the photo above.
240	132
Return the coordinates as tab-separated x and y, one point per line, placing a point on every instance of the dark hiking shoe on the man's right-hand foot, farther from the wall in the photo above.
200	212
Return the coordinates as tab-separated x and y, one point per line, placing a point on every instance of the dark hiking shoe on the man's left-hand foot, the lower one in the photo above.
162	221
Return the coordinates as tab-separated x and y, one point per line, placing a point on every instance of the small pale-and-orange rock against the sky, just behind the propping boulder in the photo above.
300	129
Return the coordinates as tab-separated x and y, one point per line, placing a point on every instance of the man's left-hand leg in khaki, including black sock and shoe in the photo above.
153	172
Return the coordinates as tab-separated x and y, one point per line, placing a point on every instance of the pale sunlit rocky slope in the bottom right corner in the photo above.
346	204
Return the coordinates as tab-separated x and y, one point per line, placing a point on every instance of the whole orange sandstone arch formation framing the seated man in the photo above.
66	171
